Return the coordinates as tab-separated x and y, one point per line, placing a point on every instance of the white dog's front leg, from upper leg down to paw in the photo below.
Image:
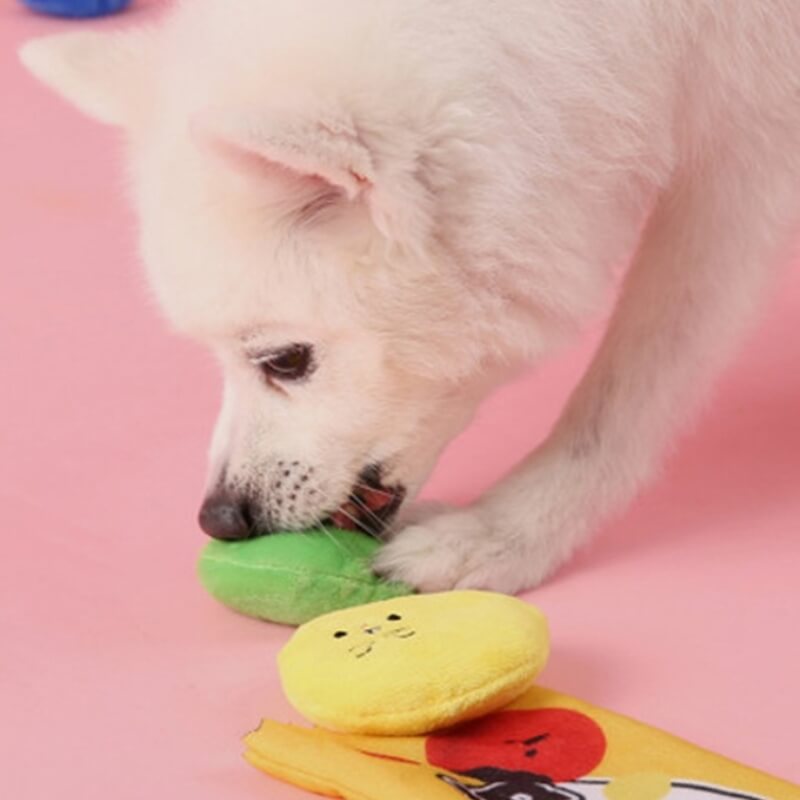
689	295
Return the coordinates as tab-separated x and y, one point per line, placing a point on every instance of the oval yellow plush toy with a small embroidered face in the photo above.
414	664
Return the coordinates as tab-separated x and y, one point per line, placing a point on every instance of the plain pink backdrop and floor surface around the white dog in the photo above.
120	678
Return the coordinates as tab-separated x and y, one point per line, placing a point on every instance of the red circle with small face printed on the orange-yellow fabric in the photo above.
560	744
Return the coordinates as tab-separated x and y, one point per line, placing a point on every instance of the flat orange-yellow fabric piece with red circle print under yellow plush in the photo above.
544	746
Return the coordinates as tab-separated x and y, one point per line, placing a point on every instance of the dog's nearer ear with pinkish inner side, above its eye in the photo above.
326	155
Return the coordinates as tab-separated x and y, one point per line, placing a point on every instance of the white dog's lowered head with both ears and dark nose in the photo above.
299	235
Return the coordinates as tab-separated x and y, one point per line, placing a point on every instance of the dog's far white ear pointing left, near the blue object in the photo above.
106	75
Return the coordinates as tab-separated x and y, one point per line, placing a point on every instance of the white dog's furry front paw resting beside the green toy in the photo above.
458	550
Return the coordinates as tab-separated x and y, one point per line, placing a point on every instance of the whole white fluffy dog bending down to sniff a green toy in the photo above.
374	211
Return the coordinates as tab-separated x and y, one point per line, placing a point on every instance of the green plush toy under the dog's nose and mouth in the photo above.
292	578
